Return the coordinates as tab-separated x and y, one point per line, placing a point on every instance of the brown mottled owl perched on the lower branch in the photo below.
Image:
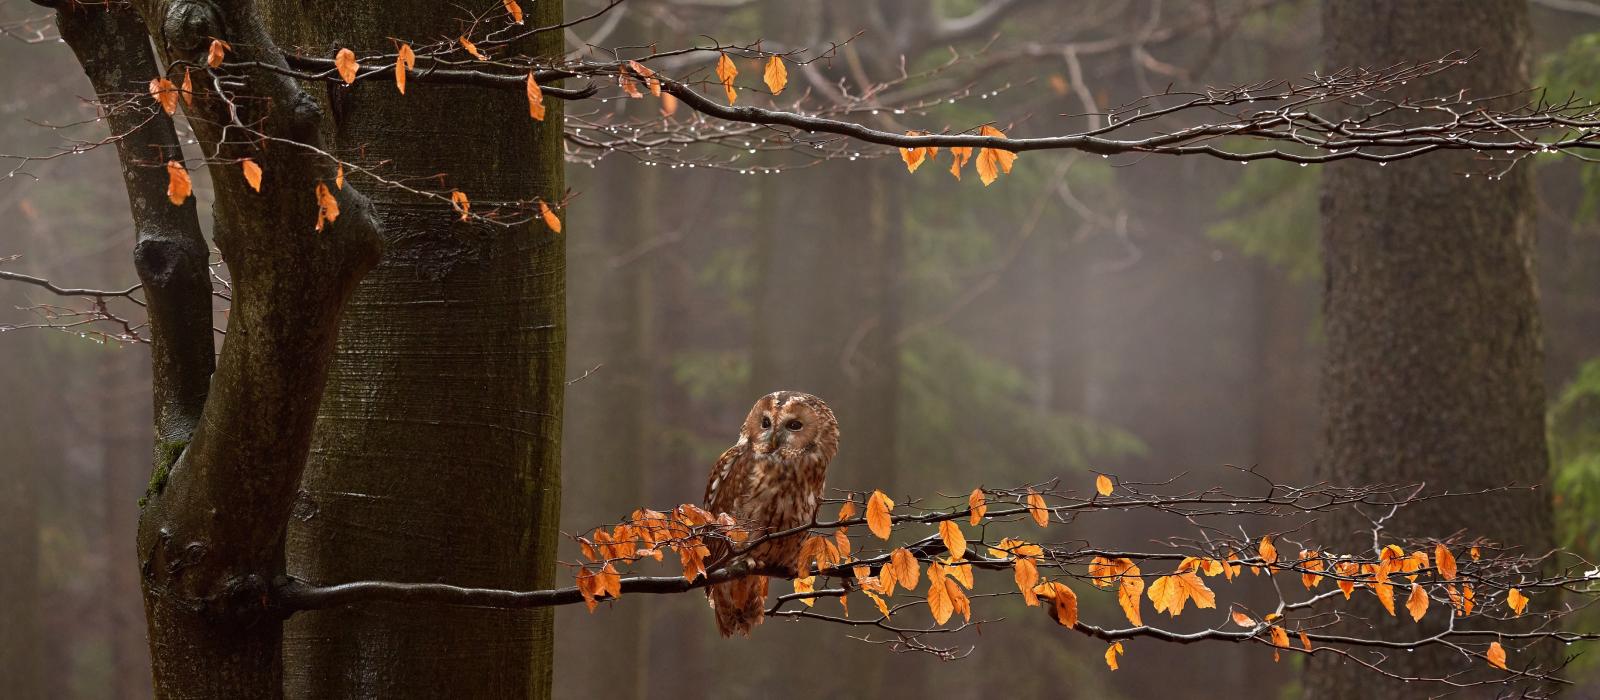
770	482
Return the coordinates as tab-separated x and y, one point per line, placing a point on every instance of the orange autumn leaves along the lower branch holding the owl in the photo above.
951	578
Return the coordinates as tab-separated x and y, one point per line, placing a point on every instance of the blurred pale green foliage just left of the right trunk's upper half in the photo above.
1273	215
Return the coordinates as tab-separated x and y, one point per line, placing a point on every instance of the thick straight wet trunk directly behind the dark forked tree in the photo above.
438	445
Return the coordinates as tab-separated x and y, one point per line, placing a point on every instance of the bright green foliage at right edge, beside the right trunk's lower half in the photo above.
1575	461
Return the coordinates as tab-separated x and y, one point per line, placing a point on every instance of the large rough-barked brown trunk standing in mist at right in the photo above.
1434	352
